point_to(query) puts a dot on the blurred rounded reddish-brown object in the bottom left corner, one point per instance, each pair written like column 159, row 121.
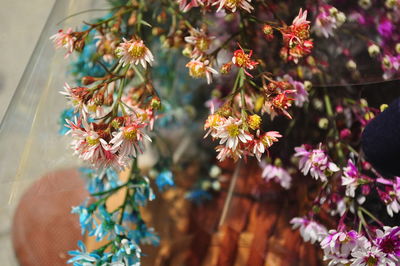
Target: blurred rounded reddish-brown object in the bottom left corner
column 44, row 229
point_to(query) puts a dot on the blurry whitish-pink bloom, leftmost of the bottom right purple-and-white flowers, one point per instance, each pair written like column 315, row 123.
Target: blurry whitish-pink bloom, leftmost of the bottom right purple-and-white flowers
column 309, row 230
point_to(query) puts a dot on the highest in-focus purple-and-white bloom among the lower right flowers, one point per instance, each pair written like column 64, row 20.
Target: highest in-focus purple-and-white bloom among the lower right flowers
column 316, row 162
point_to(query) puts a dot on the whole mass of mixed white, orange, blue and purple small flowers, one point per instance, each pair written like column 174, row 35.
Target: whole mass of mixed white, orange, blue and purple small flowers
column 276, row 83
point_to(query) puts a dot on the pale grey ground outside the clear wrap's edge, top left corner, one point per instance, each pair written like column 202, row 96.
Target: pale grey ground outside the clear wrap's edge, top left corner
column 21, row 22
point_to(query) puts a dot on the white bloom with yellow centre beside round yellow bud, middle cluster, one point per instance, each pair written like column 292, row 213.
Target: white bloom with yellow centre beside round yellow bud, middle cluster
column 232, row 133
